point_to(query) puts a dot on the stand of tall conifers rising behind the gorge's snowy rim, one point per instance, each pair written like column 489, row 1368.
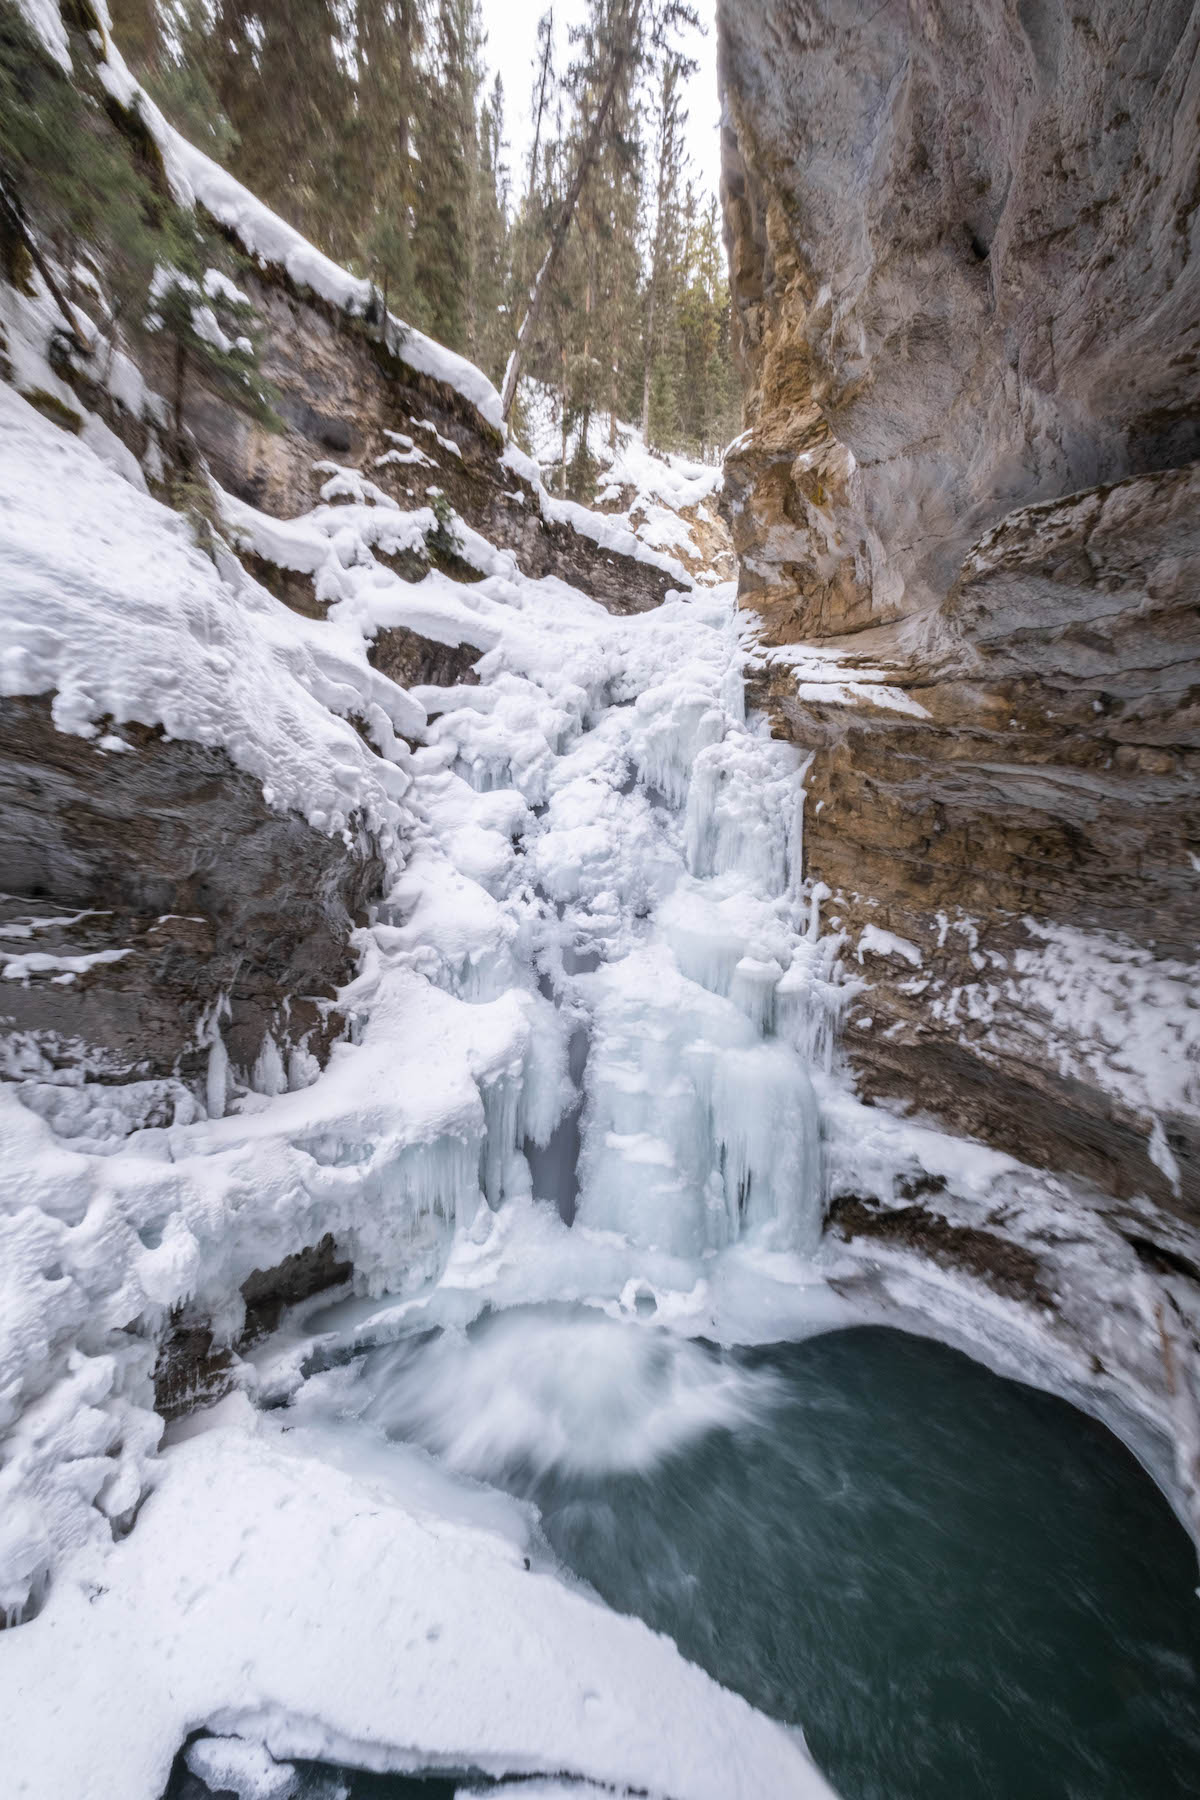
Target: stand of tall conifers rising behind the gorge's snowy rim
column 373, row 127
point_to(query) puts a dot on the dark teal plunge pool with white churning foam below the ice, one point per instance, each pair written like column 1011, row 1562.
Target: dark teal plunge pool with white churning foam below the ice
column 956, row 1585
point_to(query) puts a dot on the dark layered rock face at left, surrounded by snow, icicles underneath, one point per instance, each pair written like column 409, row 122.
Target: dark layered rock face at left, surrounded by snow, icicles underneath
column 152, row 899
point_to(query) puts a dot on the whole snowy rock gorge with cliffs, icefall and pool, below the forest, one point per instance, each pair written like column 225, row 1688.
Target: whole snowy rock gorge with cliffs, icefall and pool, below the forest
column 523, row 1020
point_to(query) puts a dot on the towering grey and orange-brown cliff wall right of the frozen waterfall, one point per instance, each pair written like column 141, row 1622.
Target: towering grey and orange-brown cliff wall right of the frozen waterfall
column 967, row 282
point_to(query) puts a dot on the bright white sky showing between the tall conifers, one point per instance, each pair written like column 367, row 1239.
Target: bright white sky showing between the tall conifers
column 512, row 30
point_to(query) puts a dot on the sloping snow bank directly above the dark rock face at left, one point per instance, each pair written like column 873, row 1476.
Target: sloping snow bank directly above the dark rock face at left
column 114, row 611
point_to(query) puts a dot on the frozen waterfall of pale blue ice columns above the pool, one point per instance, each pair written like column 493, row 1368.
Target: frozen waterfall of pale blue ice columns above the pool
column 658, row 930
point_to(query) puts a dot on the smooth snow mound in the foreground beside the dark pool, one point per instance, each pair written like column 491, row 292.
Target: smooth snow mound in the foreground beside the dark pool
column 425, row 1641
